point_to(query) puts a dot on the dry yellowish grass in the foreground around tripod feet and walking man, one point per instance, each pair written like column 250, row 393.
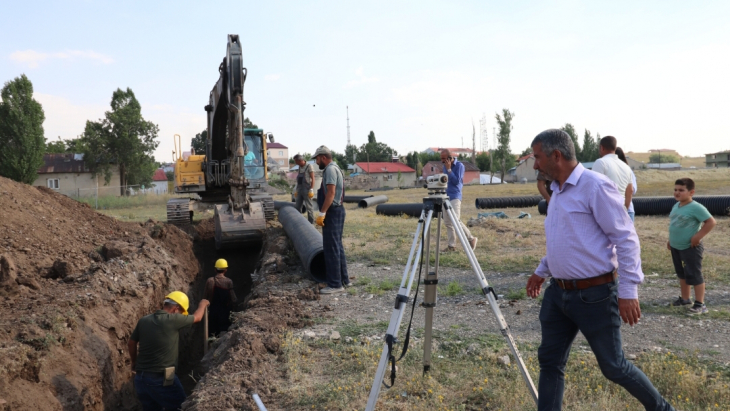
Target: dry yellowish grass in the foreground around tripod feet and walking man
column 477, row 380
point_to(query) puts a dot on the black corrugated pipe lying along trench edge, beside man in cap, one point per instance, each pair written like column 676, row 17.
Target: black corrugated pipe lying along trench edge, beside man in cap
column 307, row 241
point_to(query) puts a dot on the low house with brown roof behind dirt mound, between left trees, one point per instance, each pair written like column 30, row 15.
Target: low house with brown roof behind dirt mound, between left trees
column 68, row 174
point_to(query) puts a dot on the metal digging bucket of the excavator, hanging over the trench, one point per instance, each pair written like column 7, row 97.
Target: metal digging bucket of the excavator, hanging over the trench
column 240, row 227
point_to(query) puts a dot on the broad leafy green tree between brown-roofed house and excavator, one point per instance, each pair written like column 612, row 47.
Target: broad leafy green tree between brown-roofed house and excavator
column 124, row 139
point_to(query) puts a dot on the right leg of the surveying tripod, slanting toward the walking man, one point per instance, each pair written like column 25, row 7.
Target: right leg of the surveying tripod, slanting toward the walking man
column 491, row 298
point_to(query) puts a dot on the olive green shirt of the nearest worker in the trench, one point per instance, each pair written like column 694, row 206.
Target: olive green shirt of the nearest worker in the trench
column 158, row 335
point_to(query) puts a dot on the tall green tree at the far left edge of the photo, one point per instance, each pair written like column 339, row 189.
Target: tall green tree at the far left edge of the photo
column 21, row 131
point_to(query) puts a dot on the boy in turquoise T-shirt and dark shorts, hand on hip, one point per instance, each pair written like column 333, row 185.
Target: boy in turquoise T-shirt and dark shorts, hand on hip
column 689, row 222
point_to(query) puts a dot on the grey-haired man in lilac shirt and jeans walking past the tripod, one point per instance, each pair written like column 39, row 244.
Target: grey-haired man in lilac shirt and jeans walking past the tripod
column 588, row 234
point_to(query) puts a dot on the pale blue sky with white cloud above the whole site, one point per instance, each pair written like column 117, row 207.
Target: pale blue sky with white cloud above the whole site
column 654, row 74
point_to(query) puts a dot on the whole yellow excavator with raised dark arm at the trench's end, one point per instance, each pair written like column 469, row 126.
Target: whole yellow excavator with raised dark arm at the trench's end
column 232, row 173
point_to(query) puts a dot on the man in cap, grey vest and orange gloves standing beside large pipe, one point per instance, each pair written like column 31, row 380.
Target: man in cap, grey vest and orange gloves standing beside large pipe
column 330, row 197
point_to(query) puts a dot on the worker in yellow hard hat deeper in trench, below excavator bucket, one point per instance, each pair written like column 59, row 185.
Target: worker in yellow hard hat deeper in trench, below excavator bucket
column 219, row 290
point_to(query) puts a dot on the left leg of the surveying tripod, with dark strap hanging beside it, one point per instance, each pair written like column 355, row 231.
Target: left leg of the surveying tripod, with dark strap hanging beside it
column 400, row 307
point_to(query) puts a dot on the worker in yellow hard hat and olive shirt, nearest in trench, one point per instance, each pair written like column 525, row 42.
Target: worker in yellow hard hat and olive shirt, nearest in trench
column 157, row 336
